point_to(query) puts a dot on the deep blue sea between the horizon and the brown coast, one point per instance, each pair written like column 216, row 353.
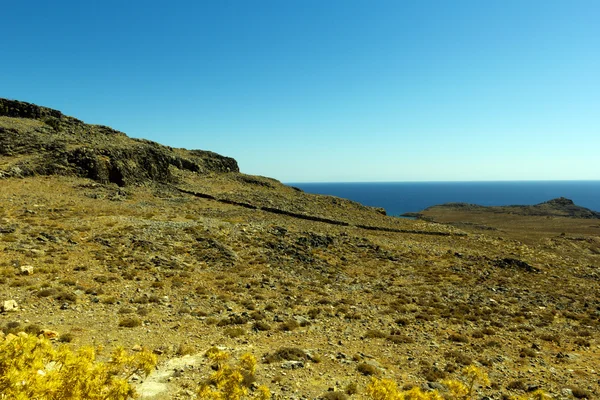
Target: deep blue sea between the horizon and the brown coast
column 401, row 197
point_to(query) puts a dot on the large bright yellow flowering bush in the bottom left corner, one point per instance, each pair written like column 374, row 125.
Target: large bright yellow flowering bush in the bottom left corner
column 32, row 368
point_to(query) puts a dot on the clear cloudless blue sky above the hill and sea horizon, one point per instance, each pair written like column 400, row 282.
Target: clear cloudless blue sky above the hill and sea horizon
column 326, row 90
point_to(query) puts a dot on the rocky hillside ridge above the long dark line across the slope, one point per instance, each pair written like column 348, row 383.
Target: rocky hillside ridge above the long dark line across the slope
column 40, row 141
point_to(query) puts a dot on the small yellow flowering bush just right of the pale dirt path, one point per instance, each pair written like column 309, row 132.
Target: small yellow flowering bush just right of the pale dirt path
column 230, row 382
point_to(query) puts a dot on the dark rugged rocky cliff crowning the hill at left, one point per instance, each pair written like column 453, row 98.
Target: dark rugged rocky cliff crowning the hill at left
column 38, row 140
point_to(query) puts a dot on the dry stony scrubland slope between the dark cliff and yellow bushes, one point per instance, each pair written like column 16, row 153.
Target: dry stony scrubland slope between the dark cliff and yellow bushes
column 323, row 307
